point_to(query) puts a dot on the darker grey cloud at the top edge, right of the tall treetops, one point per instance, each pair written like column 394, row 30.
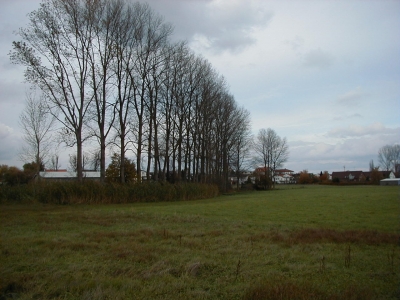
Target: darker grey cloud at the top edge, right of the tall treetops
column 223, row 28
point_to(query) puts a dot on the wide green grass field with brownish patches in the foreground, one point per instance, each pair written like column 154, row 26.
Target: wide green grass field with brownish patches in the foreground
column 313, row 242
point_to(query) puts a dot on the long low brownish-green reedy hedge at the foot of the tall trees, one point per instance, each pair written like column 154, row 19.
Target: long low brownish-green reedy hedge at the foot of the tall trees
column 91, row 192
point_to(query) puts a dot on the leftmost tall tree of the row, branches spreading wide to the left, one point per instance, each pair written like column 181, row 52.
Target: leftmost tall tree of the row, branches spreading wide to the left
column 53, row 48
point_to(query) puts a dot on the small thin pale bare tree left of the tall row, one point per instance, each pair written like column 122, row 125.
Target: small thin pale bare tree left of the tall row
column 36, row 123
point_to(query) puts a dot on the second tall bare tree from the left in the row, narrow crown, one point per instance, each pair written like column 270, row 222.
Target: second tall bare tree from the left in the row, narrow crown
column 101, row 54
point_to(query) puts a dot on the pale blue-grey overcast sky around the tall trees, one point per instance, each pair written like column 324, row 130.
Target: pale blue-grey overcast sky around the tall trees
column 323, row 74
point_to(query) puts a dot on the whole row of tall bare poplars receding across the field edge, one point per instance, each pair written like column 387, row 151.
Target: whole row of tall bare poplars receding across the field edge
column 111, row 73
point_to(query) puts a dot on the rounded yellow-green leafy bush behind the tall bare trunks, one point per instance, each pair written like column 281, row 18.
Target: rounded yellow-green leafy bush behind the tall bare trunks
column 113, row 172
